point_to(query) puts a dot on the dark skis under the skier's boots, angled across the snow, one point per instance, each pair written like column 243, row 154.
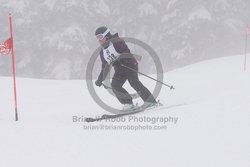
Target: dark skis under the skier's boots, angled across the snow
column 134, row 111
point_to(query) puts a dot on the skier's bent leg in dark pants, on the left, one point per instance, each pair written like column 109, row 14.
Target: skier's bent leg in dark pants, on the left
column 117, row 82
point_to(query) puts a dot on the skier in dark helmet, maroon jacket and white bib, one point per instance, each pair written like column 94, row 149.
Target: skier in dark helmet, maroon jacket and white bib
column 111, row 54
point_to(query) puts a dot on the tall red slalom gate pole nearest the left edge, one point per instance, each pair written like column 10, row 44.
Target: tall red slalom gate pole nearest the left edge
column 13, row 68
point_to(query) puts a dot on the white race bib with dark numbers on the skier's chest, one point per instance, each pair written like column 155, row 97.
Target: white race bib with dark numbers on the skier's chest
column 110, row 54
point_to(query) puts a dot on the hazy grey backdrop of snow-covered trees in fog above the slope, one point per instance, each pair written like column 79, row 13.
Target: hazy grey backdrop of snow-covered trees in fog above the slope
column 54, row 39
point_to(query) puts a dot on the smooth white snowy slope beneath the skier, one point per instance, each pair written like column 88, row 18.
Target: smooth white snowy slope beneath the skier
column 211, row 103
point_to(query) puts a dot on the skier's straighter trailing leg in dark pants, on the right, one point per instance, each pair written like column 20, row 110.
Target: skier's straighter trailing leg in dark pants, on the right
column 134, row 81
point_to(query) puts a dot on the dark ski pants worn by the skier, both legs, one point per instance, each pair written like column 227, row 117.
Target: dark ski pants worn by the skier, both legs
column 122, row 95
